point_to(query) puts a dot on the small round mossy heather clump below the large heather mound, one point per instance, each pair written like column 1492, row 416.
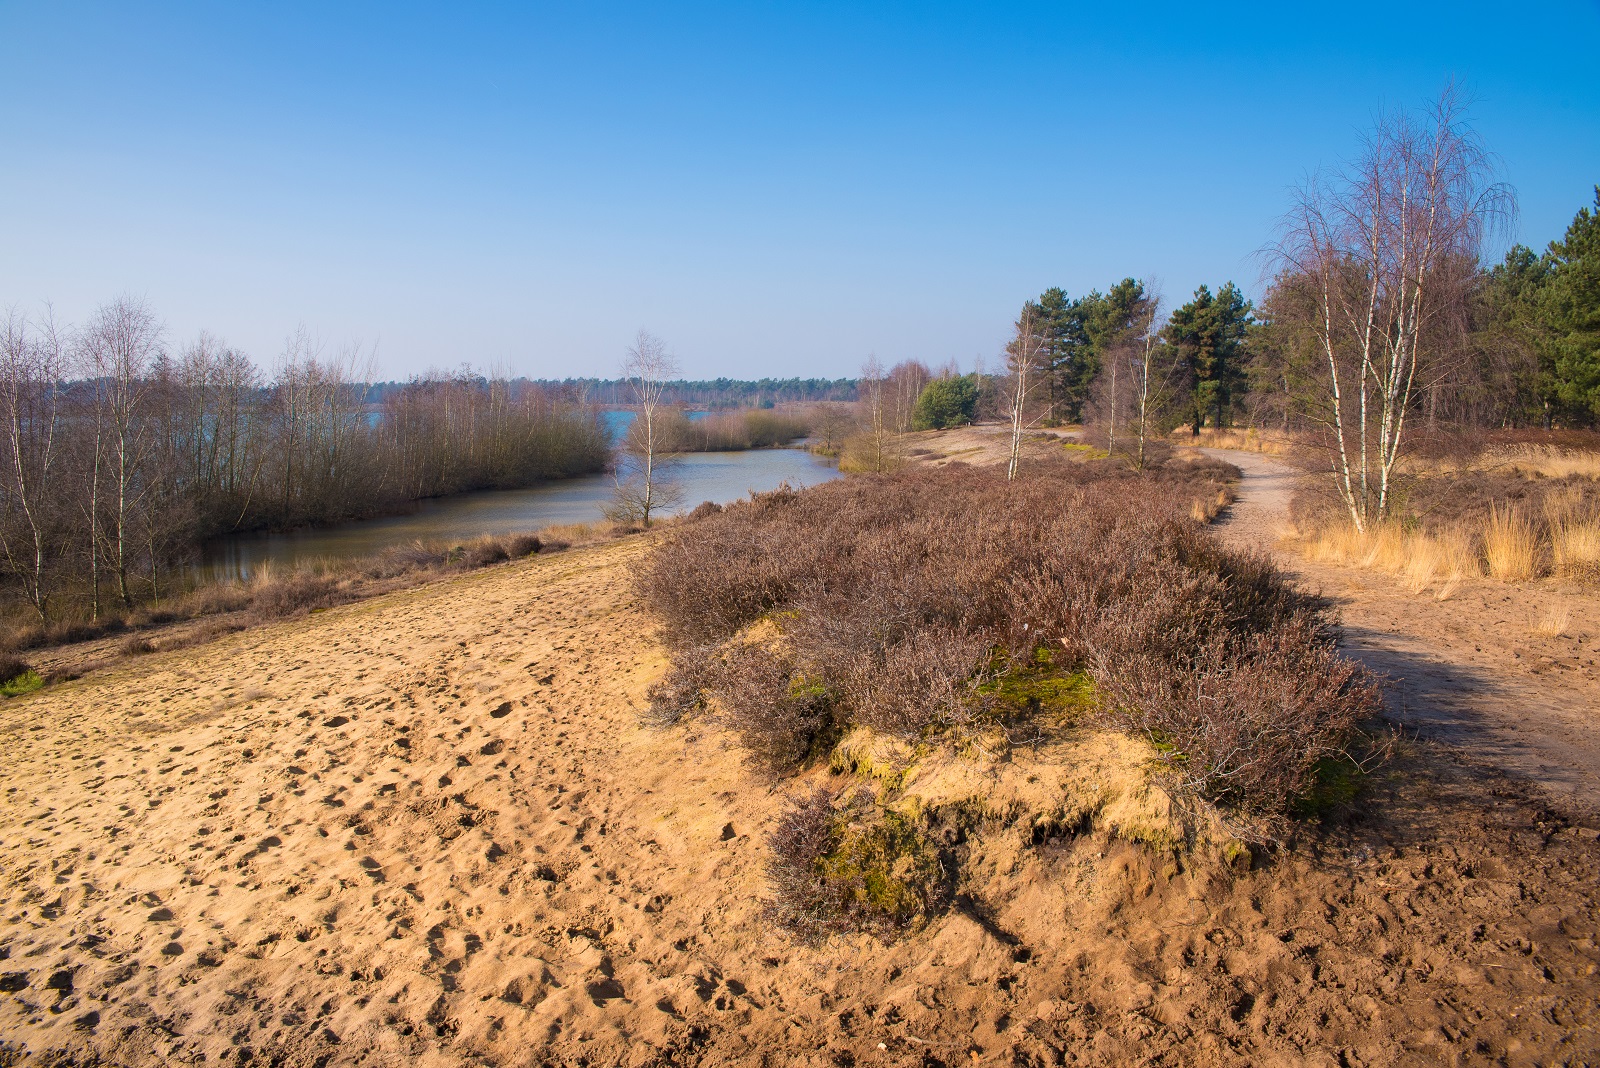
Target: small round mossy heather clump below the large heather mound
column 852, row 867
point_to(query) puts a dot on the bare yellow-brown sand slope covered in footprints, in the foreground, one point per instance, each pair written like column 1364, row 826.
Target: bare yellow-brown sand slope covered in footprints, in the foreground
column 428, row 831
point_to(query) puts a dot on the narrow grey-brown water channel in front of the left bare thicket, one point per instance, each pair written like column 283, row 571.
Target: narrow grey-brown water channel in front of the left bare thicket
column 721, row 477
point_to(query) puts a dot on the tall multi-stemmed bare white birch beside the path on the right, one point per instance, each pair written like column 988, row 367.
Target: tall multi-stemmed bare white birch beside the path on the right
column 1383, row 250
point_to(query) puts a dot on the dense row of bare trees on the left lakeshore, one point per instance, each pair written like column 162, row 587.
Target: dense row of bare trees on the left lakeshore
column 121, row 456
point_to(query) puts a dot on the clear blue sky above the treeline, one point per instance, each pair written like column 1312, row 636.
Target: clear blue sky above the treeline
column 775, row 189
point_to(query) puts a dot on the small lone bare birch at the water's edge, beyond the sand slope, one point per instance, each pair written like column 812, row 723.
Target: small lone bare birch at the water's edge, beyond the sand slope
column 647, row 488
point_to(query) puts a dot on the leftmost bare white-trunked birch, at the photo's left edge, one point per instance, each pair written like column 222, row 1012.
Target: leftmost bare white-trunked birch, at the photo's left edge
column 33, row 375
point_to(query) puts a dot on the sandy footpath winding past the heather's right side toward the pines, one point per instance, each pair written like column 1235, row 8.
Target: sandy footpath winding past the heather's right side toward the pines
column 1470, row 671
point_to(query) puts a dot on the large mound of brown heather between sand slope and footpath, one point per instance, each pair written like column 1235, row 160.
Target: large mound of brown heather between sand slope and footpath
column 894, row 602
